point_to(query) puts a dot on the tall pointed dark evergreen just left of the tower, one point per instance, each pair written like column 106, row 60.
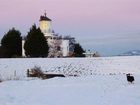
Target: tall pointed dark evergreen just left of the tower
column 35, row 43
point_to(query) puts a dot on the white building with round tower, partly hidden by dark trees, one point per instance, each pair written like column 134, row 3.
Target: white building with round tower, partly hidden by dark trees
column 58, row 46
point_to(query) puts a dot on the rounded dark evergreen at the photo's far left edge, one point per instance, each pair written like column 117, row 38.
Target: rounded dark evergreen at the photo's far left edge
column 11, row 44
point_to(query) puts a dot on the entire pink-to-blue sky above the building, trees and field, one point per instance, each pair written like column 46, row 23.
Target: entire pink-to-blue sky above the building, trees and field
column 110, row 27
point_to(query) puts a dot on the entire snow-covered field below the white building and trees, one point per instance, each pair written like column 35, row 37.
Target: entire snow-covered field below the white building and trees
column 101, row 81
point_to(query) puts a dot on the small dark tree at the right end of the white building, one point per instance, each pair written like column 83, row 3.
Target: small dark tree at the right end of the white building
column 78, row 50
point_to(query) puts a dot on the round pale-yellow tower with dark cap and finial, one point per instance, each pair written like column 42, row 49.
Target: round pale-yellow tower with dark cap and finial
column 45, row 25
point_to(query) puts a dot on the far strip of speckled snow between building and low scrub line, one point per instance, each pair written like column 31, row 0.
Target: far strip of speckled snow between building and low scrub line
column 9, row 68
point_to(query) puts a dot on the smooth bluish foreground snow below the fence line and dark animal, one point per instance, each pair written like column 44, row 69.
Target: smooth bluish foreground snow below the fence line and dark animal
column 91, row 90
